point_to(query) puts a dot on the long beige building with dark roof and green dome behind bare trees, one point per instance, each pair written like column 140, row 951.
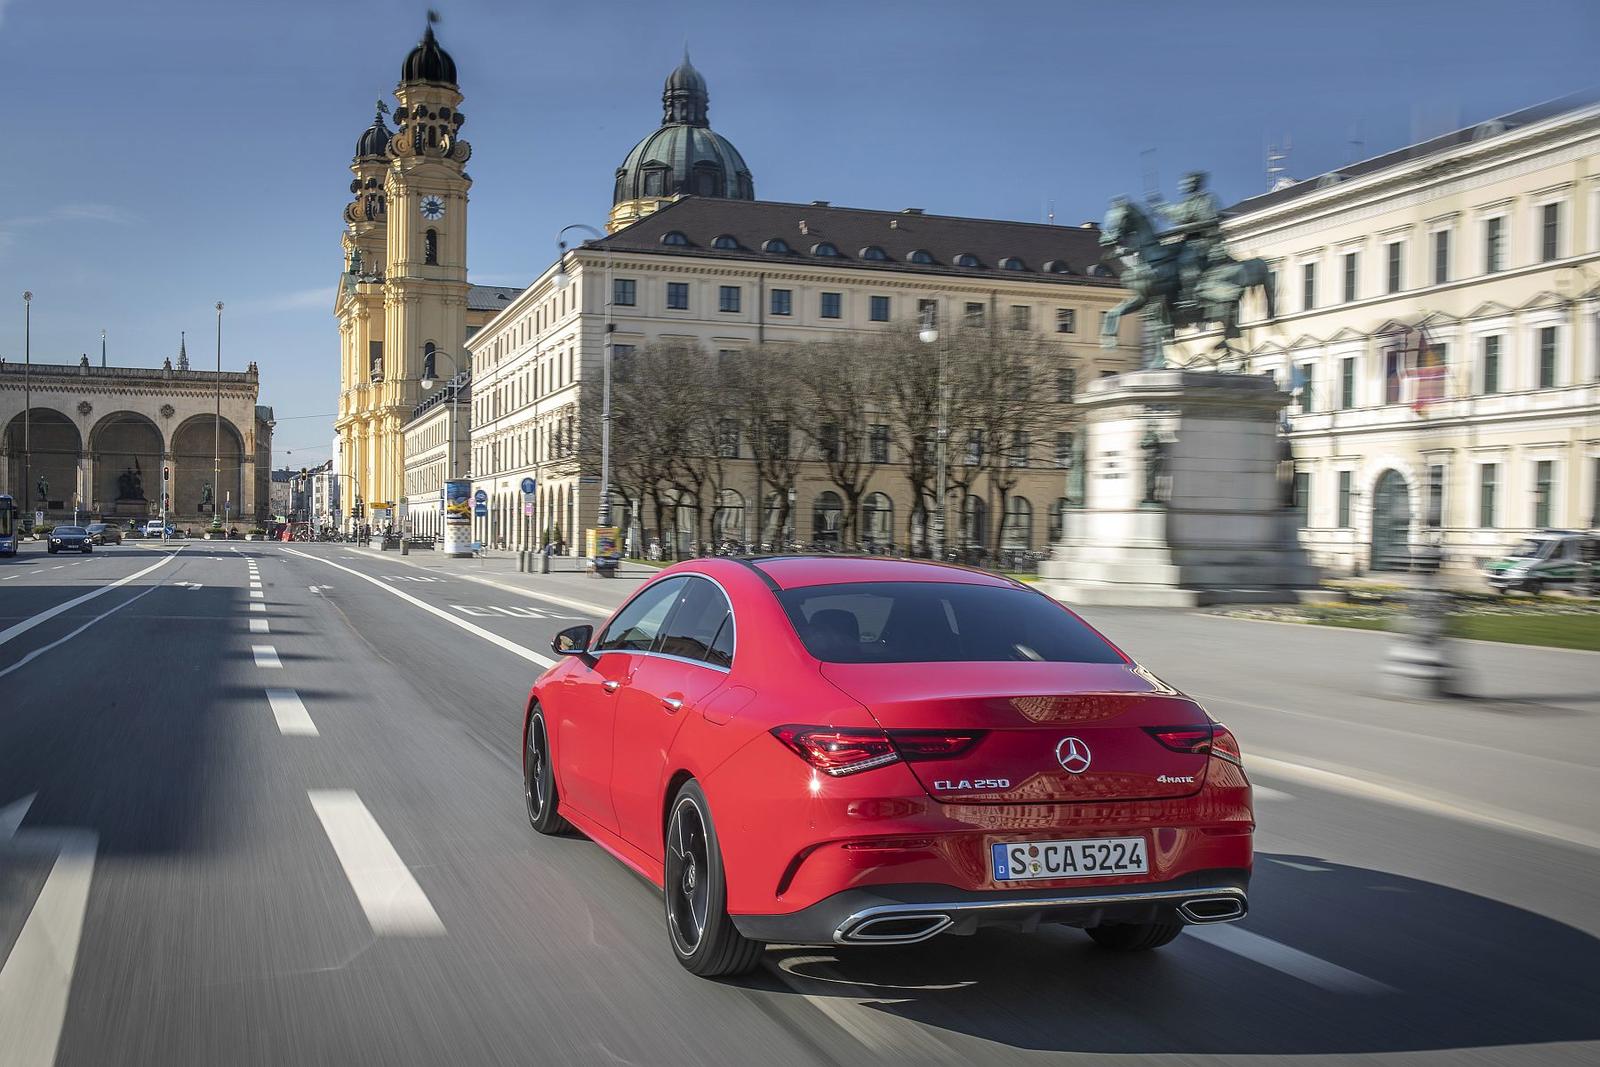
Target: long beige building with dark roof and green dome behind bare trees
column 698, row 260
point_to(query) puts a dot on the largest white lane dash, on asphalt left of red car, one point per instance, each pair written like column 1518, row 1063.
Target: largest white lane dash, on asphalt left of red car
column 393, row 900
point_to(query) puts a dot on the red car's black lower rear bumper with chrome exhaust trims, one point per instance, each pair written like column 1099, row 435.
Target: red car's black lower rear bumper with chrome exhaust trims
column 905, row 914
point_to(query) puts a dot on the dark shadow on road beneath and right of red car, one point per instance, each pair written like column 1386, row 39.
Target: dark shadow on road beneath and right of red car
column 1444, row 970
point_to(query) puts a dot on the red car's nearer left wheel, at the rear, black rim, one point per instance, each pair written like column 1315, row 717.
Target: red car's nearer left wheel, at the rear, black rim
column 695, row 892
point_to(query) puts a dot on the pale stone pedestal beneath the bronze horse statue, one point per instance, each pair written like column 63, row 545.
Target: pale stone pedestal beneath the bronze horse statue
column 1218, row 535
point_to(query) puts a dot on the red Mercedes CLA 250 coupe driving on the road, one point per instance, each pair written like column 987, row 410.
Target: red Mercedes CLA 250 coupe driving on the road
column 828, row 751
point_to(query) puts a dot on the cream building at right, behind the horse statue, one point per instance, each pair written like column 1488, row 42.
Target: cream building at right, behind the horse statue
column 1439, row 311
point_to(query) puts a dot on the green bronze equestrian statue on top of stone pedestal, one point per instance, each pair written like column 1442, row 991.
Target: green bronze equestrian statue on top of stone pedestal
column 1182, row 276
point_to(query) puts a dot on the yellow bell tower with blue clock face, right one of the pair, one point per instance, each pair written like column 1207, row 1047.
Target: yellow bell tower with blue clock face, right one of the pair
column 426, row 273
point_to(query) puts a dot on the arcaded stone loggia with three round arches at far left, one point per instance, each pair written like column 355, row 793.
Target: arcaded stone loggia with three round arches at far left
column 100, row 439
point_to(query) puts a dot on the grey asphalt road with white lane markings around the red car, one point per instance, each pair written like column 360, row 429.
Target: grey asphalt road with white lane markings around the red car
column 287, row 829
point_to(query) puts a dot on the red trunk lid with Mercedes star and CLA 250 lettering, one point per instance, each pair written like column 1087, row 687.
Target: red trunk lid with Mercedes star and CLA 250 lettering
column 1052, row 732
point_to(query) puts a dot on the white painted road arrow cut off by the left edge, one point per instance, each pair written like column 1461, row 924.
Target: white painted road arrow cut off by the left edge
column 38, row 977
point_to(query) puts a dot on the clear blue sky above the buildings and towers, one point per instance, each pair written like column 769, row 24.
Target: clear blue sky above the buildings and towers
column 161, row 158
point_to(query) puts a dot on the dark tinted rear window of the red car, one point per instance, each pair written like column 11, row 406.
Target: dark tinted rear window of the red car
column 918, row 623
